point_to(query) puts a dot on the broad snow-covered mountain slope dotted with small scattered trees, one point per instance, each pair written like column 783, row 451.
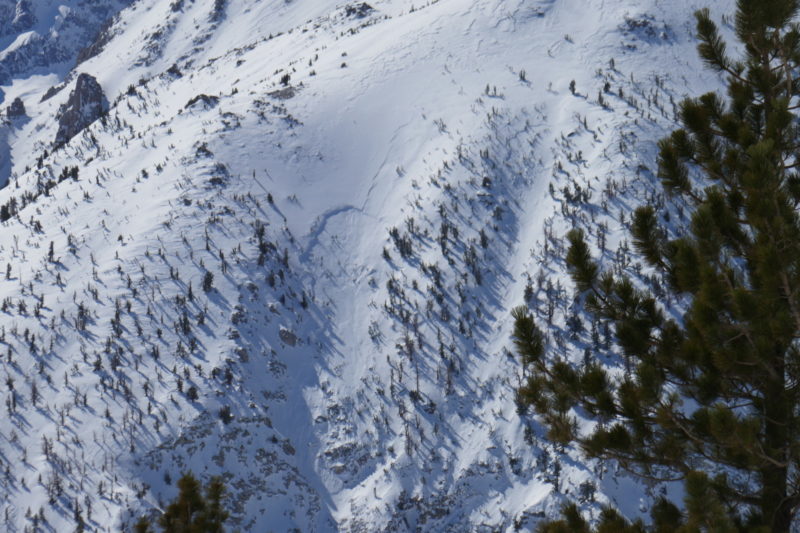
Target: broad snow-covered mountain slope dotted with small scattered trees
column 288, row 251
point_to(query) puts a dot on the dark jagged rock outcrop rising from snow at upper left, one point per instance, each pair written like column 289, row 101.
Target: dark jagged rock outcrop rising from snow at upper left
column 86, row 104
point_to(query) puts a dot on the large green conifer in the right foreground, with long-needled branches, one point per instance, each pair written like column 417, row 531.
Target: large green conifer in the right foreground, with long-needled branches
column 710, row 399
